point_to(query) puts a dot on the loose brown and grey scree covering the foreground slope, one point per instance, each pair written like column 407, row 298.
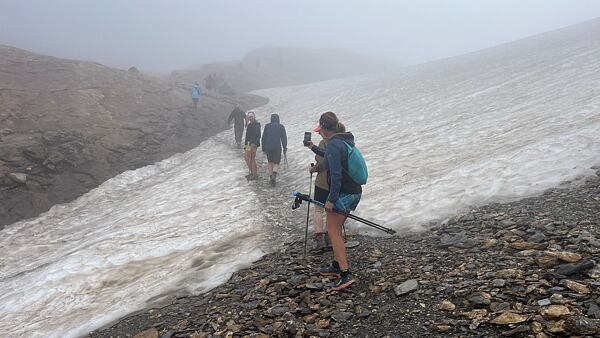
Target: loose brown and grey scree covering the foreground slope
column 523, row 269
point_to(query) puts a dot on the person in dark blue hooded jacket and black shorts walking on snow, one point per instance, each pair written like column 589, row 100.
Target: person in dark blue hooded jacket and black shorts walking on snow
column 273, row 140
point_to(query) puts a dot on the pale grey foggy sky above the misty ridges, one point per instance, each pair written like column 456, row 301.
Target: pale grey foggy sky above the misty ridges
column 171, row 34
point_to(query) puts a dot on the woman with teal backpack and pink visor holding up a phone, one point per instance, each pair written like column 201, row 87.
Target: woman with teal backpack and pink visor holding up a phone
column 344, row 193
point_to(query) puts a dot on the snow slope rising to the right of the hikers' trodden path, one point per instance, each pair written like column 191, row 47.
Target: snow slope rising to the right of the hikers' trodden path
column 498, row 124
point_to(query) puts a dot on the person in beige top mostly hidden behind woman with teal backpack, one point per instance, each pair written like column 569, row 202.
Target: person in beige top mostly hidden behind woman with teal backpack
column 321, row 190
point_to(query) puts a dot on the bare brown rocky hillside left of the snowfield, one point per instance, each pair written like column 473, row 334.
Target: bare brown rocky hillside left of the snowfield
column 66, row 126
